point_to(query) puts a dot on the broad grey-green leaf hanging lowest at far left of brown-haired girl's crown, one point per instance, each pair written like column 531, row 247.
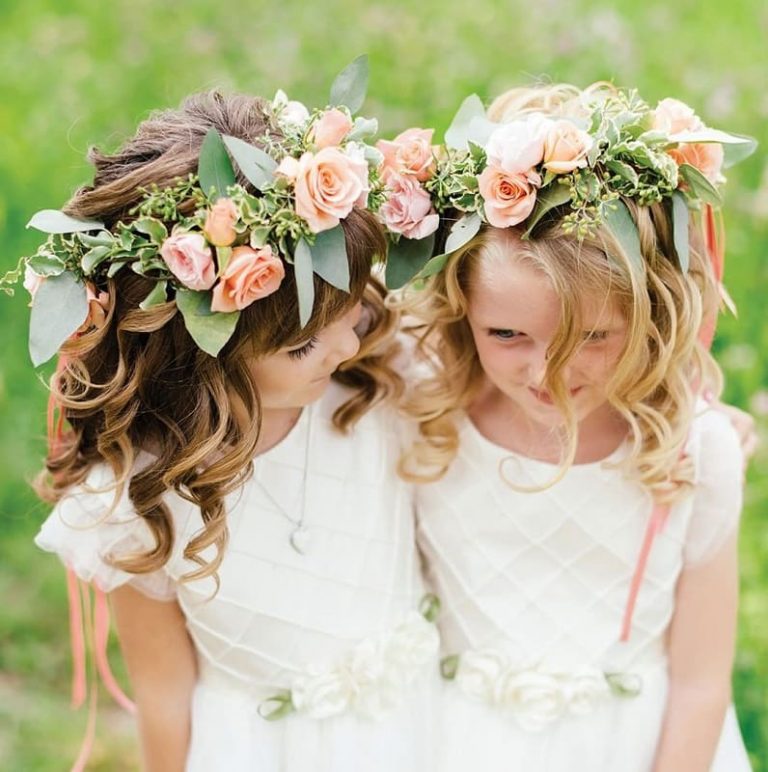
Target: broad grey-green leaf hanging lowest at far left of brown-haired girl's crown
column 59, row 309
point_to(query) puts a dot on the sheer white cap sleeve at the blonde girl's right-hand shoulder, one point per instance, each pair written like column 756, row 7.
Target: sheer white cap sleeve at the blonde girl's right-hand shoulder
column 718, row 496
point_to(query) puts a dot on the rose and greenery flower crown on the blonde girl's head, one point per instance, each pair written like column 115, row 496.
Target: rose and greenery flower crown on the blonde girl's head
column 516, row 172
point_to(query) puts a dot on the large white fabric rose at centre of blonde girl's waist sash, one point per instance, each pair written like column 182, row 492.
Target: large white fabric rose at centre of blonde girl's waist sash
column 533, row 698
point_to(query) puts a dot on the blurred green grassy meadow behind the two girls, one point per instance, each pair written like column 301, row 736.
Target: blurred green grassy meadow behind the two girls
column 84, row 73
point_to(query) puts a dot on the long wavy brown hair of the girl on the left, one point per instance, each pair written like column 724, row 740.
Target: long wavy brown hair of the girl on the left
column 140, row 383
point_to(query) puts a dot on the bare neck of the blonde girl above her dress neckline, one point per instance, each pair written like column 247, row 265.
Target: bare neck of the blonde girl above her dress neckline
column 504, row 423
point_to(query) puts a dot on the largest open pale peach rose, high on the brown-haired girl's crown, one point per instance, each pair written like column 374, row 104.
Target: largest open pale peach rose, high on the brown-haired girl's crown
column 328, row 184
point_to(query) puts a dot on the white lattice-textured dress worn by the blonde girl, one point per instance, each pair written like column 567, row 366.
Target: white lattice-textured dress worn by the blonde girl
column 534, row 587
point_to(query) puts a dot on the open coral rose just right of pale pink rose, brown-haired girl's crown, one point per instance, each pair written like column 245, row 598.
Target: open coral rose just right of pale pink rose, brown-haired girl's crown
column 250, row 275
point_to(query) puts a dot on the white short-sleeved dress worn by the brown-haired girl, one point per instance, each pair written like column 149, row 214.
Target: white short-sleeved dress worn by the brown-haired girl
column 338, row 626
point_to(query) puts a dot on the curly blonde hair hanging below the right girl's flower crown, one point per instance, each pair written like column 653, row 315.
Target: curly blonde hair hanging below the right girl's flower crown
column 660, row 372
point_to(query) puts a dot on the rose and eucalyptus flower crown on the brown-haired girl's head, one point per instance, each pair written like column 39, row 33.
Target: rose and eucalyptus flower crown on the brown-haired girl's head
column 231, row 250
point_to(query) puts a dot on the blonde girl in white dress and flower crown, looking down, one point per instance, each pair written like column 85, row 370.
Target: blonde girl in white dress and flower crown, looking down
column 580, row 502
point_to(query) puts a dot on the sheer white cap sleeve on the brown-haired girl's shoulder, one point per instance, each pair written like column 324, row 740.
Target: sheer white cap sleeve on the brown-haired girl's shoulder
column 86, row 535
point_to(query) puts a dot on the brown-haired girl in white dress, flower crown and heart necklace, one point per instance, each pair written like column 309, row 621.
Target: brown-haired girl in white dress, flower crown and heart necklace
column 225, row 471
